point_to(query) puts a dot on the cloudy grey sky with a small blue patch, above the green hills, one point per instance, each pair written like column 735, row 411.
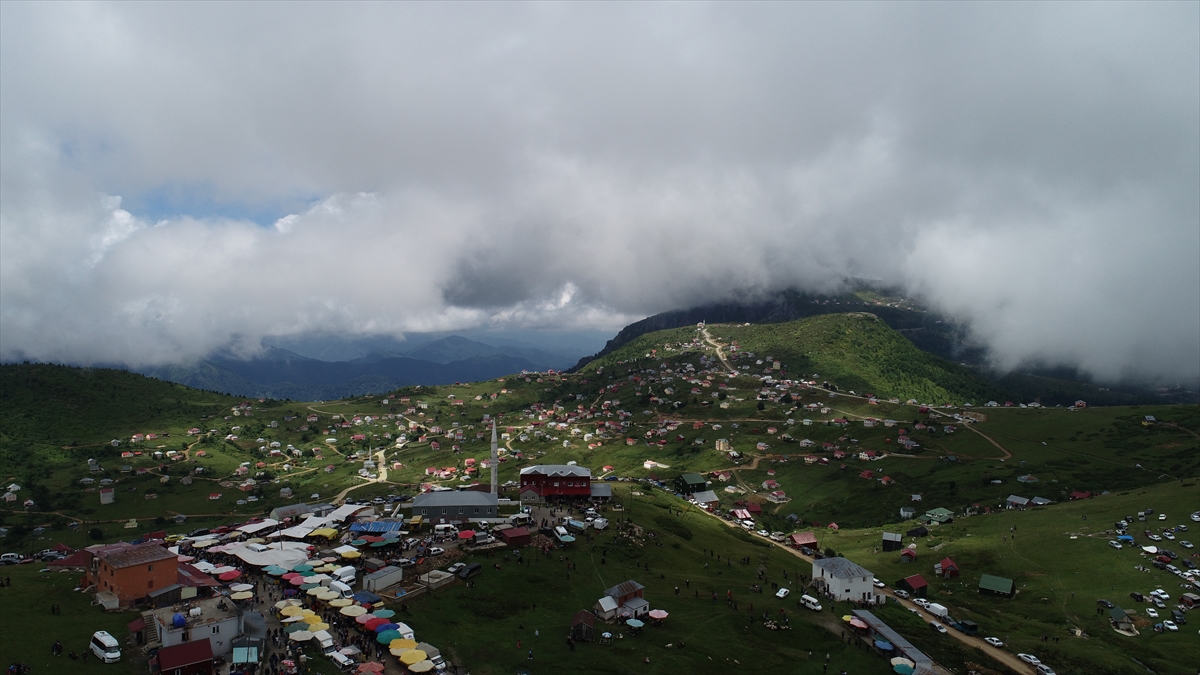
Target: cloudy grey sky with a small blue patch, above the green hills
column 1029, row 169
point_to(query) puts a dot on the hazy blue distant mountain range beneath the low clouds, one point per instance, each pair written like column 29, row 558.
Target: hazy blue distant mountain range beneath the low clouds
column 283, row 374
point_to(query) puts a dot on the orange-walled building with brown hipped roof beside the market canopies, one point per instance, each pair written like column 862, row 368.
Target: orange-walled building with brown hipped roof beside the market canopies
column 133, row 572
